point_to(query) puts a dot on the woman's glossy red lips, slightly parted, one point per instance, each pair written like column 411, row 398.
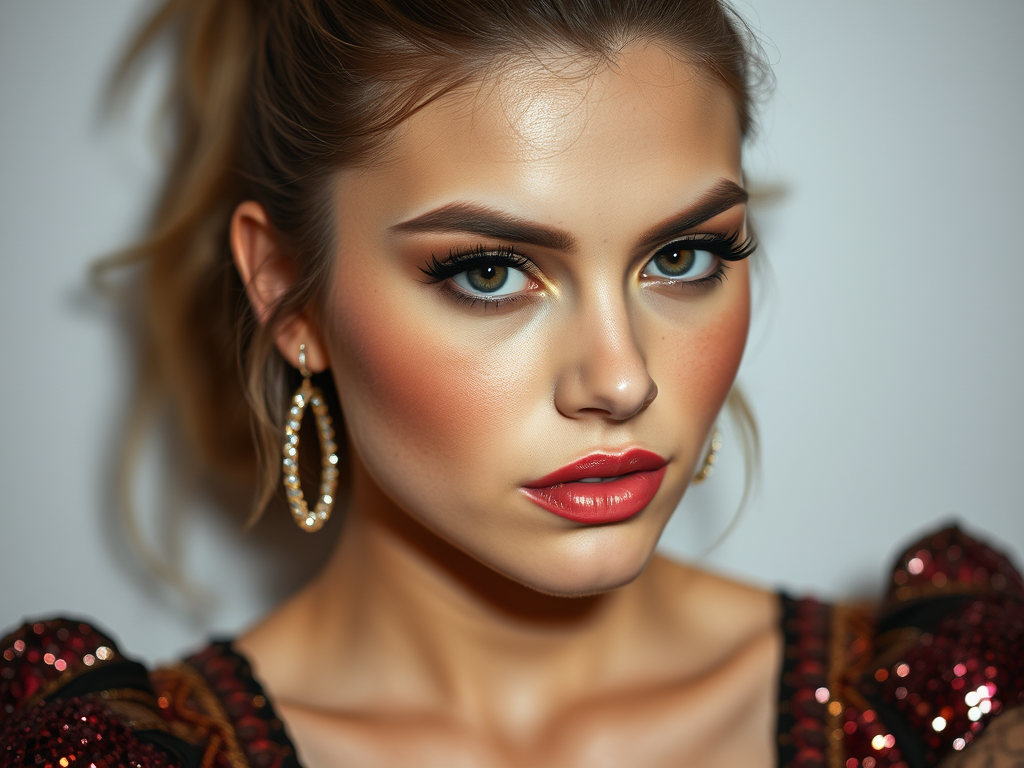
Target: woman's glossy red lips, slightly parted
column 600, row 488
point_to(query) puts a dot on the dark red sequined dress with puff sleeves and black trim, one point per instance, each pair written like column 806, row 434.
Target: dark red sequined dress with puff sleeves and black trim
column 902, row 685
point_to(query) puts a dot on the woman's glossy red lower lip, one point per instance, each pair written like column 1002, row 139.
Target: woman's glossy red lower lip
column 595, row 503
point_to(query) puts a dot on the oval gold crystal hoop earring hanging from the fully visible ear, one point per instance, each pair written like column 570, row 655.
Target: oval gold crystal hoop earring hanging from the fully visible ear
column 308, row 395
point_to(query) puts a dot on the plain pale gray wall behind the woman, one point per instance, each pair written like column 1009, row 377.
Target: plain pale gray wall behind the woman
column 885, row 364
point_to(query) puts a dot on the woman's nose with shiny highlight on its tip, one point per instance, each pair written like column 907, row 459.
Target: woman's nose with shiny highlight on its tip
column 606, row 373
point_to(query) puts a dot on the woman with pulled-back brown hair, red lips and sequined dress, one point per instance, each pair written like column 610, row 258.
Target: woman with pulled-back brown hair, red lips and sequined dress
column 509, row 244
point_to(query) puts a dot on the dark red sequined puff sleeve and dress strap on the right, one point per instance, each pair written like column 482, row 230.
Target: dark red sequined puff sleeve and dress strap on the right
column 919, row 678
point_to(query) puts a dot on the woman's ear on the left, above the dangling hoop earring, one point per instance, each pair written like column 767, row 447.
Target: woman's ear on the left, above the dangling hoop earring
column 268, row 275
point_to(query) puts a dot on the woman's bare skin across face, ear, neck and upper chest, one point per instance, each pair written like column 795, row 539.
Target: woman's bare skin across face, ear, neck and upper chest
column 459, row 623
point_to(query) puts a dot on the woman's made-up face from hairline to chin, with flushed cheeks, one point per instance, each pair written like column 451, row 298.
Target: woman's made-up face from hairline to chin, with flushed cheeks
column 530, row 280
